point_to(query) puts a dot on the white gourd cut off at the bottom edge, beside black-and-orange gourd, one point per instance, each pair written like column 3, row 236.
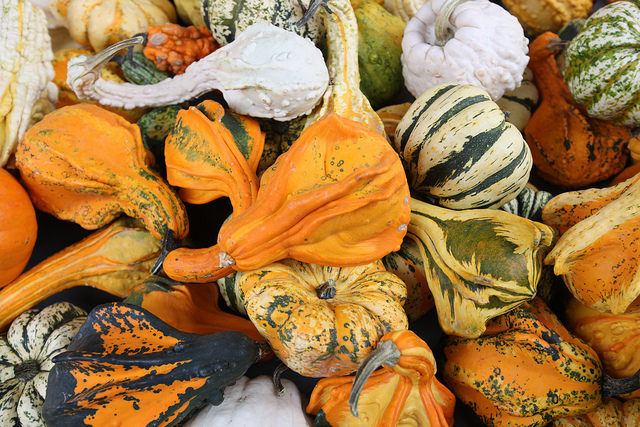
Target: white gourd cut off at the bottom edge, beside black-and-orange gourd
column 256, row 402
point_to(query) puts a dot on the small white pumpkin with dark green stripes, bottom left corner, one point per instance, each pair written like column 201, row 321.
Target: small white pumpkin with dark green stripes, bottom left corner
column 26, row 353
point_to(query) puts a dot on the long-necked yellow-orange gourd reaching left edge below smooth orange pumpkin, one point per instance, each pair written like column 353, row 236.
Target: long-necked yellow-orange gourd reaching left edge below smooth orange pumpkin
column 113, row 259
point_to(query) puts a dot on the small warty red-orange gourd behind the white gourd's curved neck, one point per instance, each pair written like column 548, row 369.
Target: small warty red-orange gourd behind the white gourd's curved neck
column 173, row 47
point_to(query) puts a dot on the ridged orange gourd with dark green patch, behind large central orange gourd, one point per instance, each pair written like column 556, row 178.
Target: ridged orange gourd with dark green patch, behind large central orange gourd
column 211, row 152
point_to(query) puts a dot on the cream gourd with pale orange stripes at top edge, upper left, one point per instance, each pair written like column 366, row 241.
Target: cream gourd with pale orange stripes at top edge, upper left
column 100, row 23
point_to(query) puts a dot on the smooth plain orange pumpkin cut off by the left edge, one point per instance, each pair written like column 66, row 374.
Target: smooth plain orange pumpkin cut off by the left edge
column 18, row 227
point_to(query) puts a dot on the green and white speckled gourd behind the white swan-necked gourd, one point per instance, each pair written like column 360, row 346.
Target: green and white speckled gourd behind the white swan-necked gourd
column 228, row 18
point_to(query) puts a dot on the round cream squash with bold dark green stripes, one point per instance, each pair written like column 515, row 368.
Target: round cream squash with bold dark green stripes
column 457, row 147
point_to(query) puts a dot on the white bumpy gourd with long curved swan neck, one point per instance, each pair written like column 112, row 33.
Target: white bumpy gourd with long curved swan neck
column 265, row 72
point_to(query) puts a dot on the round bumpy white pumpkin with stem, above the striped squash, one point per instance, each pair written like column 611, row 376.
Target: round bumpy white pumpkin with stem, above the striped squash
column 465, row 47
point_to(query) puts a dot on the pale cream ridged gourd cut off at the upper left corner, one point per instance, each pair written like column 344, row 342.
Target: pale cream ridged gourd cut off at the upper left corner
column 27, row 92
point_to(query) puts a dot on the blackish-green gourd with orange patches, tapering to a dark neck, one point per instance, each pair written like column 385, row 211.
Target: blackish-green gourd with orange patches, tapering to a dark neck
column 126, row 365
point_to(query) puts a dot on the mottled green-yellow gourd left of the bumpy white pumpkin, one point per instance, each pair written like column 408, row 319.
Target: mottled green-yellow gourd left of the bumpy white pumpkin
column 379, row 51
